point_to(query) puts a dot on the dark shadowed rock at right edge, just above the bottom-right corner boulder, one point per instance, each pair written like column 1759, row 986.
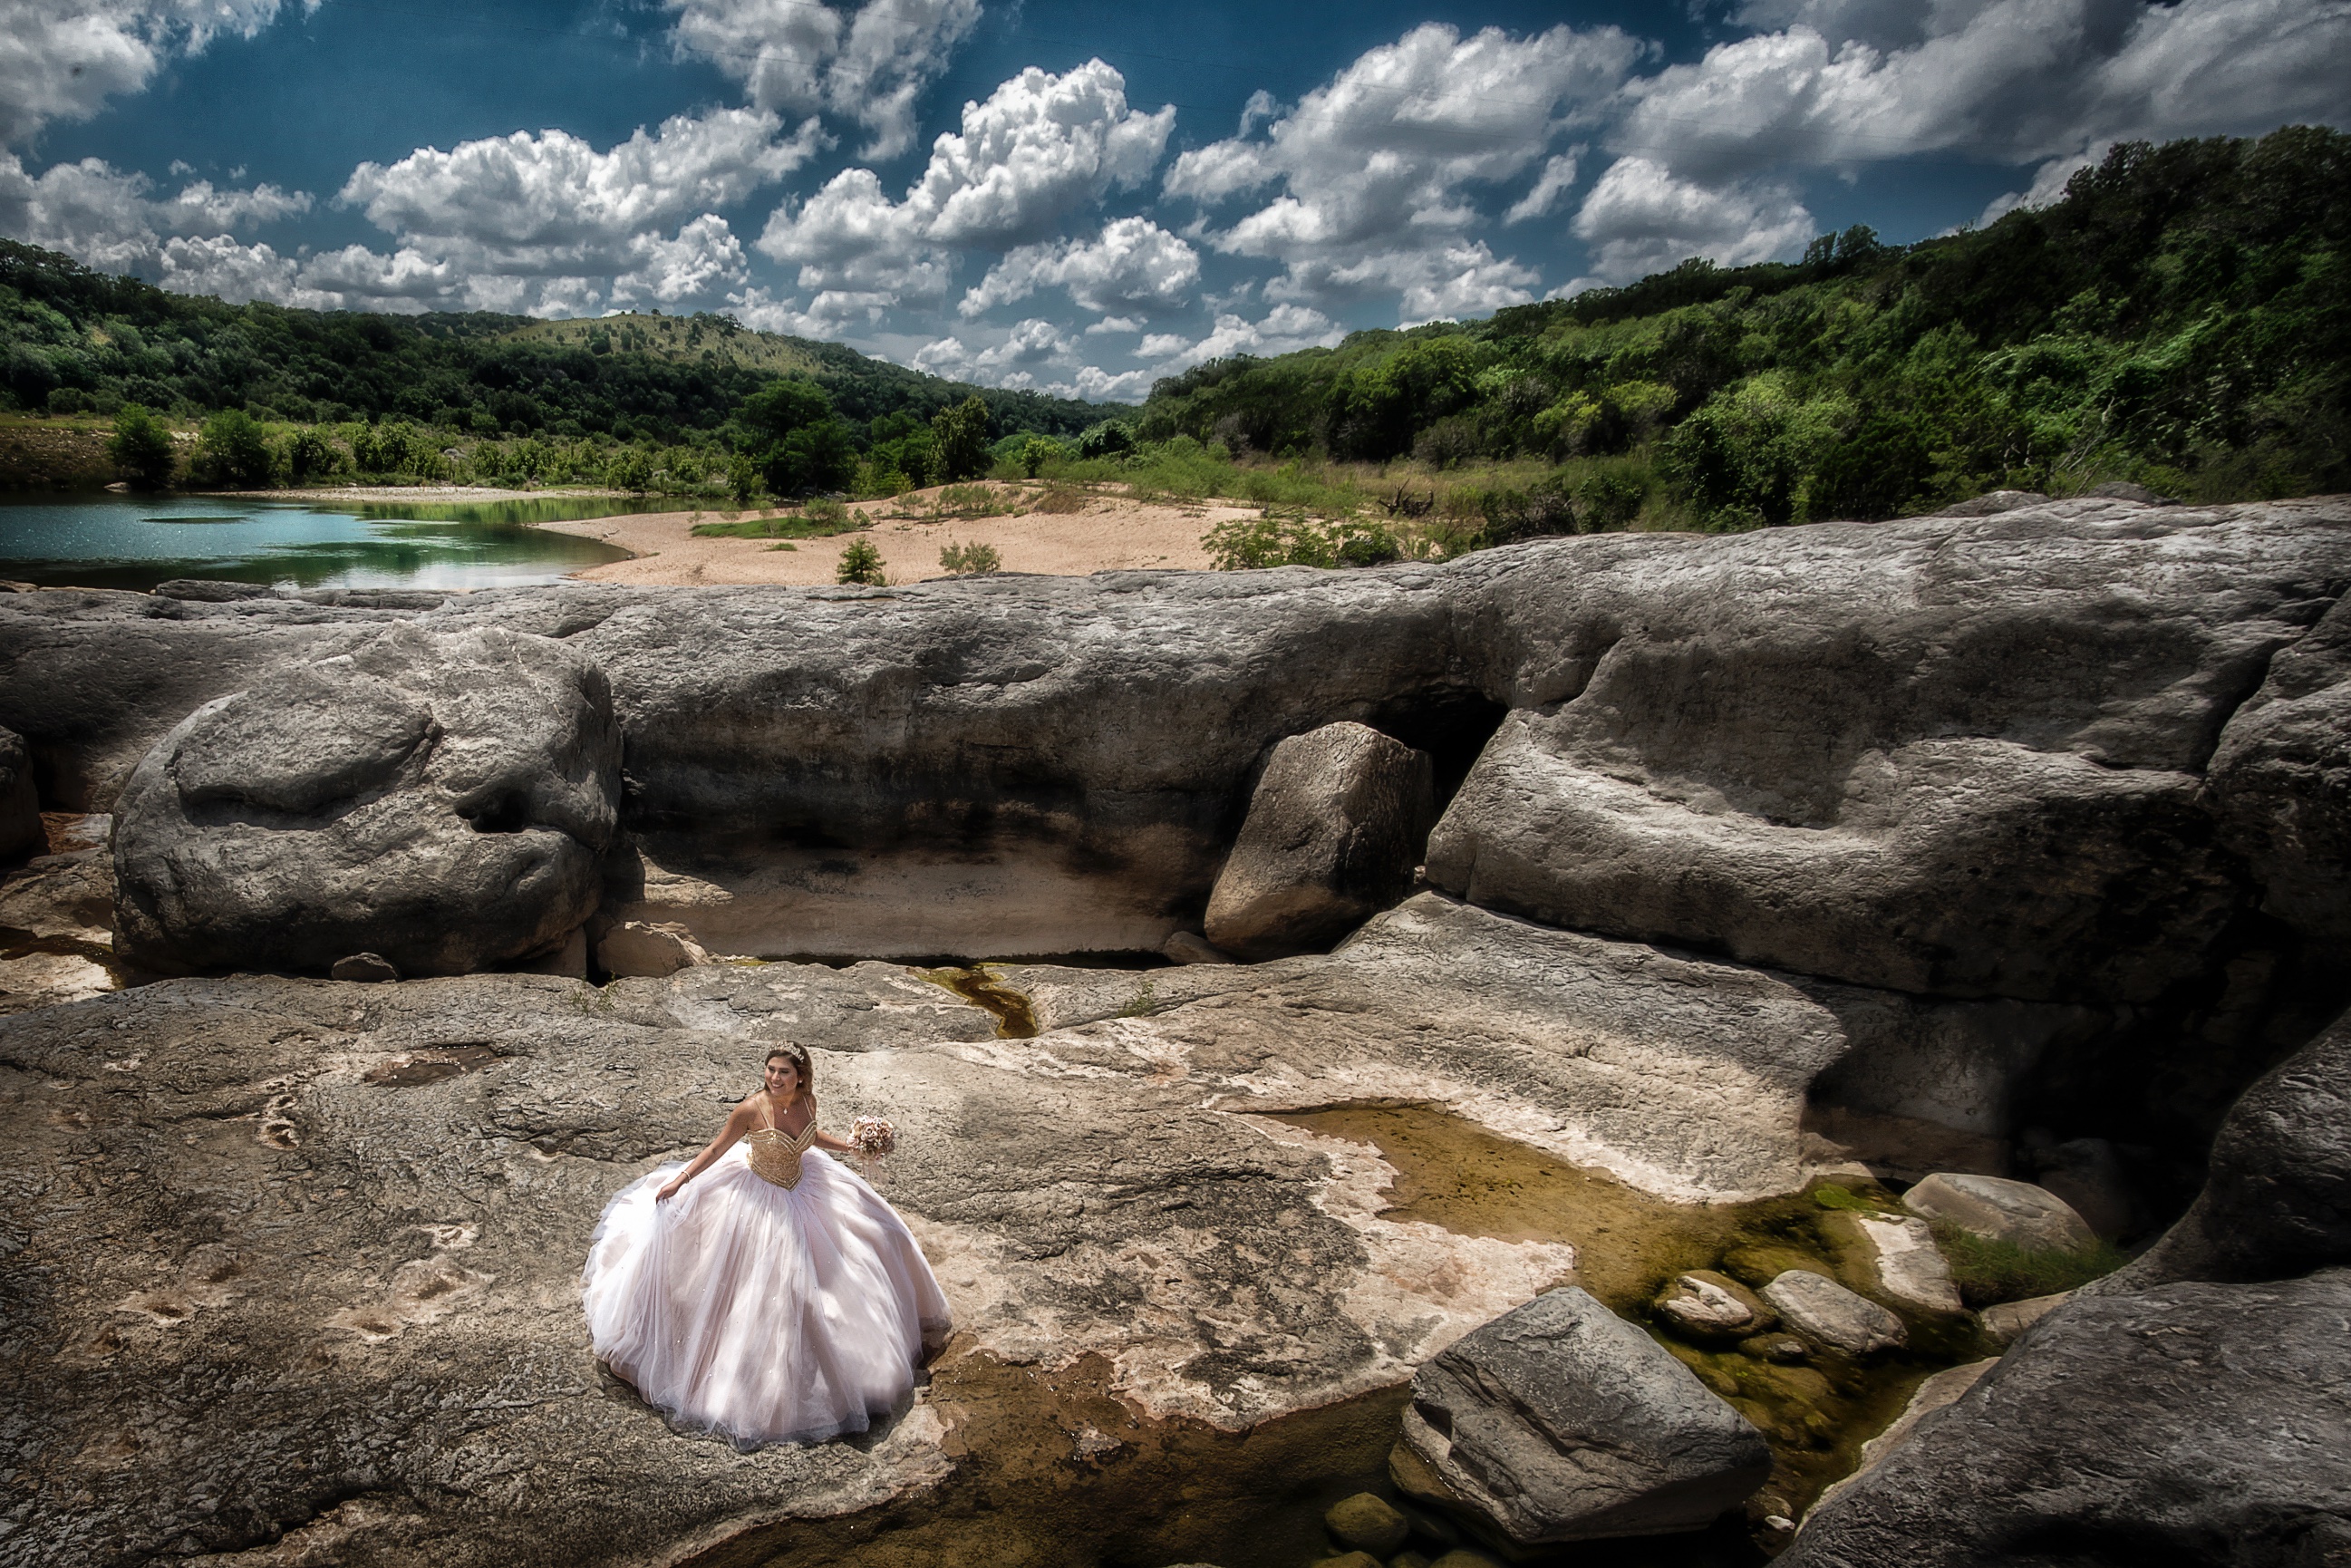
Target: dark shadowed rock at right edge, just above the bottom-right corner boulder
column 2277, row 1195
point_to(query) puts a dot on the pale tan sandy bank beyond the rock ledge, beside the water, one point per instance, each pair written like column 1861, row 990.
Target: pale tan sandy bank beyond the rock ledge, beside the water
column 1108, row 535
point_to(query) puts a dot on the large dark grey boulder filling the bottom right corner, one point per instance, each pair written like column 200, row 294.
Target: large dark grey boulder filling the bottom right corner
column 2192, row 1423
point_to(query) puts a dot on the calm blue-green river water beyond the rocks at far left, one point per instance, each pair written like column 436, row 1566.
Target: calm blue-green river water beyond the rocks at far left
column 138, row 542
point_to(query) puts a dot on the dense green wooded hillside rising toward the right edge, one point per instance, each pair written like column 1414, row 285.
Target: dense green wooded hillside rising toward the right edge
column 2181, row 319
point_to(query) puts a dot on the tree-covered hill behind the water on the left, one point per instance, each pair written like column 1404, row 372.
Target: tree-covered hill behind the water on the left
column 76, row 342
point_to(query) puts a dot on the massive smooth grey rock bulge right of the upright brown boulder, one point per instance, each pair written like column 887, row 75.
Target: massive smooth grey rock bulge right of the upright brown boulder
column 1943, row 756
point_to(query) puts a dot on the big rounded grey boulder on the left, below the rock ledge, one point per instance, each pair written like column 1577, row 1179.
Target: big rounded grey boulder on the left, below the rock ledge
column 434, row 798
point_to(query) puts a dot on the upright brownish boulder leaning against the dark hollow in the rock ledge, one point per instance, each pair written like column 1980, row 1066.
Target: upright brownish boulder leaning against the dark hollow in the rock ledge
column 1334, row 831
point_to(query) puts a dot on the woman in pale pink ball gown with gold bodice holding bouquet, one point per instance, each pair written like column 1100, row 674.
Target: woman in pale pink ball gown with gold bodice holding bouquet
column 763, row 1289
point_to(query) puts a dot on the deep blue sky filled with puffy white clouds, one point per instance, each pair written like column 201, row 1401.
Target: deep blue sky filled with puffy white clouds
column 1073, row 196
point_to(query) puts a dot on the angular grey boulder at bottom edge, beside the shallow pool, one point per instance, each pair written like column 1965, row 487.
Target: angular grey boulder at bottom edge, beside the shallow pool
column 1562, row 1421
